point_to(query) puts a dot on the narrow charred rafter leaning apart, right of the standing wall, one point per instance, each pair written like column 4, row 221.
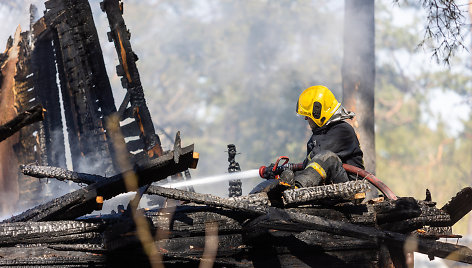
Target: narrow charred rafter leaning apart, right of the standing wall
column 130, row 79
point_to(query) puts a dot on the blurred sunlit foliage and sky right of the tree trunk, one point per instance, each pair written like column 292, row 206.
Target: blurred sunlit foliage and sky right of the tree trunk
column 413, row 153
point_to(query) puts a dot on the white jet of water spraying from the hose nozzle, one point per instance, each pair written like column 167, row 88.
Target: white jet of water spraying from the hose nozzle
column 253, row 173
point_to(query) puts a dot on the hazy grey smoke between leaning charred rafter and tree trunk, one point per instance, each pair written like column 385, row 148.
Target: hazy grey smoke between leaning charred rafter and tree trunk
column 230, row 72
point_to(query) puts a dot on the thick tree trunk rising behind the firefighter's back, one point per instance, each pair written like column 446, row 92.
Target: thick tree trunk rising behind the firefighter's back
column 358, row 73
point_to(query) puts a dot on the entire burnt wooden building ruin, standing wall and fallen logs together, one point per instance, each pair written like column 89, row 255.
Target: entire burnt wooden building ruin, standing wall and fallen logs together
column 60, row 61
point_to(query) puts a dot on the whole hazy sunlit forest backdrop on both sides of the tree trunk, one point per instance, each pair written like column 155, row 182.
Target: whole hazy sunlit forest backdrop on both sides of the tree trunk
column 230, row 71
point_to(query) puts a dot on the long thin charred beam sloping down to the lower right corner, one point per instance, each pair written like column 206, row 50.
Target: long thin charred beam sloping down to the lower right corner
column 289, row 218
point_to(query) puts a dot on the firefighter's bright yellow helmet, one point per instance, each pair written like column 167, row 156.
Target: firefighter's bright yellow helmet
column 317, row 103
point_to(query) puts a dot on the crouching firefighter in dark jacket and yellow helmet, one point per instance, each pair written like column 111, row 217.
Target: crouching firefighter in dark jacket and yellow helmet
column 333, row 142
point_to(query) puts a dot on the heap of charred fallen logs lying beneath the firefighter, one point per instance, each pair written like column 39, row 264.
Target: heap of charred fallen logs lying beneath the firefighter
column 332, row 228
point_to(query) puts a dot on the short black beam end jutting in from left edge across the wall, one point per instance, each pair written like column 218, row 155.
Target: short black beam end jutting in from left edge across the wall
column 25, row 118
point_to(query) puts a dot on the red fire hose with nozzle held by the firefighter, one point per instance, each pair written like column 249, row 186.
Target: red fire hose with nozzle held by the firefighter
column 274, row 171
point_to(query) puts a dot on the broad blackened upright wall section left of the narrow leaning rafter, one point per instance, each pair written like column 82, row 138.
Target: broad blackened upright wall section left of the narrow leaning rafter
column 86, row 90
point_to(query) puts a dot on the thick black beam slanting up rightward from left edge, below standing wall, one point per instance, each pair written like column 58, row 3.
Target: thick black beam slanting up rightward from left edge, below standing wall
column 83, row 201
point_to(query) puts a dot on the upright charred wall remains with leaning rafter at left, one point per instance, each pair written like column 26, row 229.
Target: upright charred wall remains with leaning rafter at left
column 58, row 63
